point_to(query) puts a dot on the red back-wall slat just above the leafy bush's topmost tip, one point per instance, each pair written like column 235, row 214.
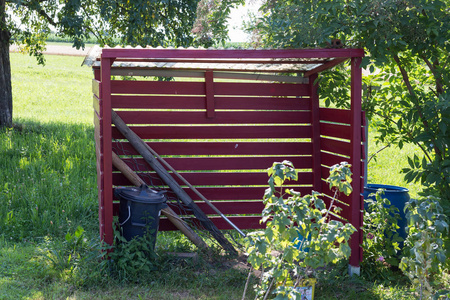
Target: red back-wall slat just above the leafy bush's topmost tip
column 220, row 148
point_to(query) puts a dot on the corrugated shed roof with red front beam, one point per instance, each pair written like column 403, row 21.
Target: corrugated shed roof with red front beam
column 306, row 61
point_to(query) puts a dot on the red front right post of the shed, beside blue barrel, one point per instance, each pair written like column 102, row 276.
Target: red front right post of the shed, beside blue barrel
column 355, row 157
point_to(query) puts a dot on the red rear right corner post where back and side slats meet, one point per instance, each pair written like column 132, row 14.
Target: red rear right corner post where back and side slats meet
column 315, row 134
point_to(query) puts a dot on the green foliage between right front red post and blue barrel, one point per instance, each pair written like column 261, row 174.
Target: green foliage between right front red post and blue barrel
column 381, row 239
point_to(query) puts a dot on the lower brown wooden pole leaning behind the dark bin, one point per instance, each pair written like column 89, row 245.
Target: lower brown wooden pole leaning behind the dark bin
column 168, row 212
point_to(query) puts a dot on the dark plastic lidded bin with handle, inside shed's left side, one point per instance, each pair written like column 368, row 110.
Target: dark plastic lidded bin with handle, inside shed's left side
column 140, row 208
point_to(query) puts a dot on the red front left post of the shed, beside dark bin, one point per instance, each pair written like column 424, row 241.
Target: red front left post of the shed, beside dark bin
column 106, row 210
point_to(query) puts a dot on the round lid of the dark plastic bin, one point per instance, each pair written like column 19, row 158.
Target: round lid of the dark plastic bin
column 142, row 194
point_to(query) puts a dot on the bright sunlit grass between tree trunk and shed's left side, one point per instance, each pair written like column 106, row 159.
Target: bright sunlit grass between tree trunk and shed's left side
column 60, row 91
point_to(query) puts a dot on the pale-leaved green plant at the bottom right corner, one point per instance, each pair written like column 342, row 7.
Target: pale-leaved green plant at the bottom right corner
column 426, row 224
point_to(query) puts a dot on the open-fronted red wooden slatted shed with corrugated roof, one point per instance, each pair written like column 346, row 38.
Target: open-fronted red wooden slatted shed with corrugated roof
column 227, row 116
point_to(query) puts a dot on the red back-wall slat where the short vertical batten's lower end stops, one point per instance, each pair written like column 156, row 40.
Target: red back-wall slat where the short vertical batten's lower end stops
column 222, row 117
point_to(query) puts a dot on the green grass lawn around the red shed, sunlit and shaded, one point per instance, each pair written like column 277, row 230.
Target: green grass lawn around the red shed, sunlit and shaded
column 48, row 189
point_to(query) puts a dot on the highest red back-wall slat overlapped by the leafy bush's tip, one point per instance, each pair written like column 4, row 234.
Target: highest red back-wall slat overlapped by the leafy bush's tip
column 225, row 163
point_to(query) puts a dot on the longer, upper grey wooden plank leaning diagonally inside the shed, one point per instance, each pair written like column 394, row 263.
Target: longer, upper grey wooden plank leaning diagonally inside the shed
column 141, row 147
